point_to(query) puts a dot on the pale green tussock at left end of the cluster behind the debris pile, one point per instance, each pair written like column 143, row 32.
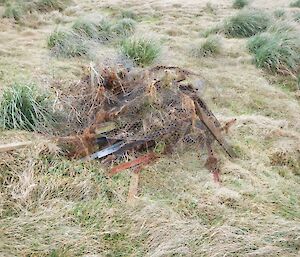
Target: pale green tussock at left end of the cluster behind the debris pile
column 67, row 44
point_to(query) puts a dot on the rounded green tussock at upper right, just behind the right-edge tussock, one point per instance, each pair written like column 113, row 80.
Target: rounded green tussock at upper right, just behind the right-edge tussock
column 246, row 23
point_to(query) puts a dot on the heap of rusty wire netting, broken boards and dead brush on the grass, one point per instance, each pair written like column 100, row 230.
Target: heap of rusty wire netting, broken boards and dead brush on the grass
column 141, row 113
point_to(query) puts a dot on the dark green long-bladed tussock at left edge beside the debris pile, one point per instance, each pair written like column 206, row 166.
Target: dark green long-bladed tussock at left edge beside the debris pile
column 22, row 106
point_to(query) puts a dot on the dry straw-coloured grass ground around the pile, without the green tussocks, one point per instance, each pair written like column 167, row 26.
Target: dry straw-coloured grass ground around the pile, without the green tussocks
column 71, row 209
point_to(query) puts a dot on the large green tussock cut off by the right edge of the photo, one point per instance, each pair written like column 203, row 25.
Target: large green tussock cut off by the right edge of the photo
column 276, row 51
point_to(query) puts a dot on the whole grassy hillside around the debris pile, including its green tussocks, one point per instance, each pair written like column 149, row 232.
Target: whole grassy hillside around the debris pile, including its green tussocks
column 51, row 206
